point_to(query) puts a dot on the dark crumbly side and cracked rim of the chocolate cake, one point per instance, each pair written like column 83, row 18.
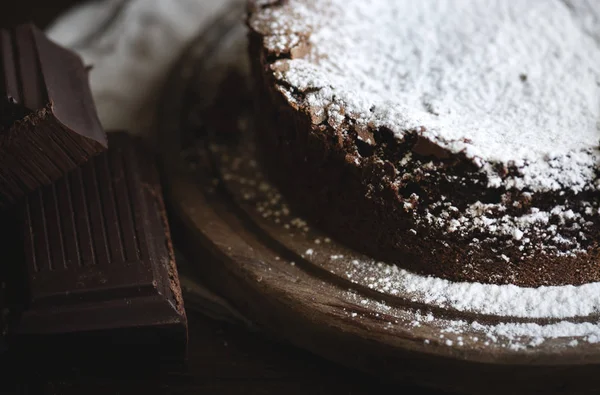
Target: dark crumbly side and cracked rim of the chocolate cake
column 406, row 198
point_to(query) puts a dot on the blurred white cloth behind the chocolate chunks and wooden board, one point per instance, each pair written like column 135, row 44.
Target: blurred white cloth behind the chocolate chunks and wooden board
column 132, row 44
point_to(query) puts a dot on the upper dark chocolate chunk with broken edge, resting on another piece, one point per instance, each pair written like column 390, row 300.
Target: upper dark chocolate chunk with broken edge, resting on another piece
column 48, row 120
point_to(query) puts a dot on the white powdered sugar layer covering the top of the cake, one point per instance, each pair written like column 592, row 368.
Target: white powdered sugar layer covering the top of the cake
column 520, row 91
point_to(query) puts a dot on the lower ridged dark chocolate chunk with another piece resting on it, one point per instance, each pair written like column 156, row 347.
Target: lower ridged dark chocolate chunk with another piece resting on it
column 99, row 261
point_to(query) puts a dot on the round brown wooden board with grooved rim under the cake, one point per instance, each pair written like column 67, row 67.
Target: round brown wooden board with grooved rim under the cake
column 296, row 284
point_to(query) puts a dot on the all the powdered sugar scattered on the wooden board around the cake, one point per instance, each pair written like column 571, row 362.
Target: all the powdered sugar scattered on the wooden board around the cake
column 570, row 313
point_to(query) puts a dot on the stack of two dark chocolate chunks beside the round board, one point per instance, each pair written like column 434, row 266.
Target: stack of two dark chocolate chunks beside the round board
column 88, row 263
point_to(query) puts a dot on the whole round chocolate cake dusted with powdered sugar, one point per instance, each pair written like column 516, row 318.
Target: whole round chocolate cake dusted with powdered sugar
column 453, row 139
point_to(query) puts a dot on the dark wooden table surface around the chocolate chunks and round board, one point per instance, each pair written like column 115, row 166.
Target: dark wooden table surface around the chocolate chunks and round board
column 224, row 358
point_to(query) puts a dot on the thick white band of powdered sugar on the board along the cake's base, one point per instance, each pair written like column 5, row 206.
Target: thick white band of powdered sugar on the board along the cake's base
column 503, row 300
